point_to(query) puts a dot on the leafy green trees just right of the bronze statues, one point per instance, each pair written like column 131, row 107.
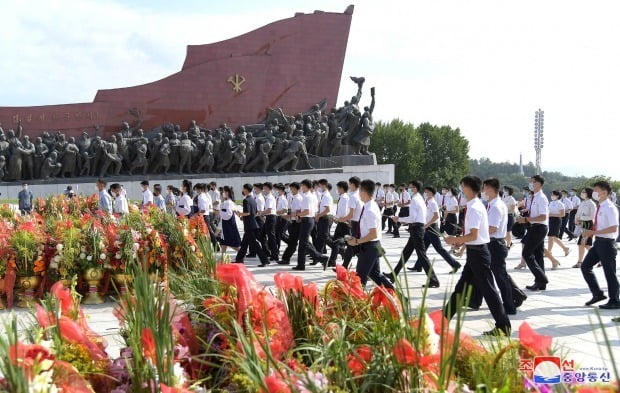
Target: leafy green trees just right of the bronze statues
column 432, row 154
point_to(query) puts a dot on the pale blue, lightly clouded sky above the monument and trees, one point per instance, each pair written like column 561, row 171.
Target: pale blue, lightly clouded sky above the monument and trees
column 484, row 66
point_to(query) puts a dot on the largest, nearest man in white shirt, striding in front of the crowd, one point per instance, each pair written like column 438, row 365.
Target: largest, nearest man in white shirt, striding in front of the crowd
column 477, row 270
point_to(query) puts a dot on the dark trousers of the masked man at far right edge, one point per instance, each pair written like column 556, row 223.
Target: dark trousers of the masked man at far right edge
column 604, row 251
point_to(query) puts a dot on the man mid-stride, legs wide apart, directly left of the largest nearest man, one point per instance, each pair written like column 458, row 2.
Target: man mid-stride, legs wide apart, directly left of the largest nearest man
column 416, row 220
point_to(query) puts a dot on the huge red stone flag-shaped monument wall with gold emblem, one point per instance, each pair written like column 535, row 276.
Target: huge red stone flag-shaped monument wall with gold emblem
column 292, row 63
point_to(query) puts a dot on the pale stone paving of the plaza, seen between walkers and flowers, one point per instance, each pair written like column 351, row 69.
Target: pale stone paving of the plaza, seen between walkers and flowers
column 559, row 311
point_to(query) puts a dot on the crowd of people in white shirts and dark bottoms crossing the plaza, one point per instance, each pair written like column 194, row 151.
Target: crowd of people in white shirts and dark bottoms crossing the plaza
column 321, row 223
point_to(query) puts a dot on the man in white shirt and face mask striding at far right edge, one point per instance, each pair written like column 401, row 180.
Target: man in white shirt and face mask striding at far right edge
column 605, row 232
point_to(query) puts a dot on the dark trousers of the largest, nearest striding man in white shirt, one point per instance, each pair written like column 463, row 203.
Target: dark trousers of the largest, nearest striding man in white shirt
column 477, row 273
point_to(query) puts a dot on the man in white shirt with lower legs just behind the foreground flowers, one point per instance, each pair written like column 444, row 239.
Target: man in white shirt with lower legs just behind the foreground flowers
column 369, row 240
